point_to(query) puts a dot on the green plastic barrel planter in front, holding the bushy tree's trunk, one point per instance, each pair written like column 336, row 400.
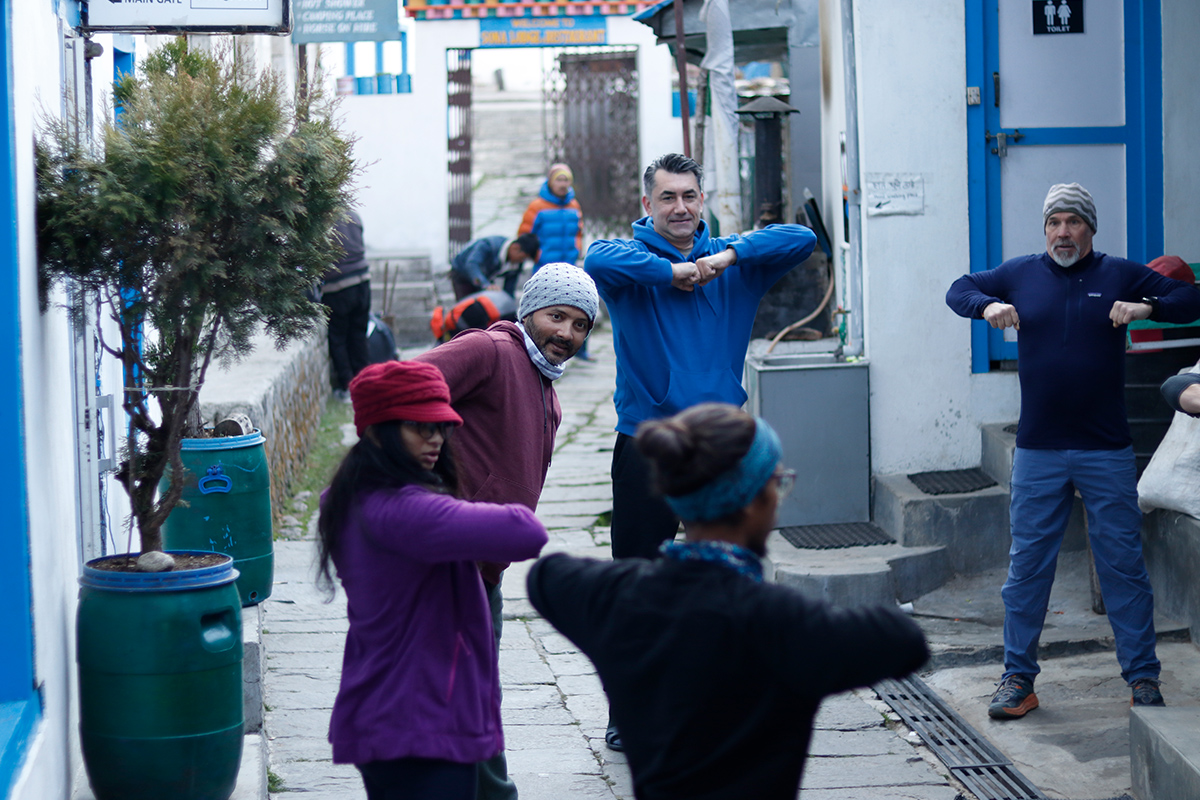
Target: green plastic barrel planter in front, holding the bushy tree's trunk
column 160, row 682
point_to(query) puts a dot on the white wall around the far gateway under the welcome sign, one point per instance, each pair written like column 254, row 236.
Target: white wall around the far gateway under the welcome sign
column 403, row 139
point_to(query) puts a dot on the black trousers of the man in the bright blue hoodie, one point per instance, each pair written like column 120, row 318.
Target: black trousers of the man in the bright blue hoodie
column 641, row 519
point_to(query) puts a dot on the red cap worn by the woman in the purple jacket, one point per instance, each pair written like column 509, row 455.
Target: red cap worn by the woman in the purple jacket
column 401, row 390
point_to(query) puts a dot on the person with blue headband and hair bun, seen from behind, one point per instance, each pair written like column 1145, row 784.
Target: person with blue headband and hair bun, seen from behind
column 713, row 676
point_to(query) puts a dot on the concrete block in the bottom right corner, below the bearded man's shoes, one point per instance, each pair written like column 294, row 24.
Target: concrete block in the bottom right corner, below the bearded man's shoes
column 1165, row 753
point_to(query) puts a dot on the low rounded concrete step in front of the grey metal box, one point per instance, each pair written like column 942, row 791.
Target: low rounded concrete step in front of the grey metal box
column 860, row 576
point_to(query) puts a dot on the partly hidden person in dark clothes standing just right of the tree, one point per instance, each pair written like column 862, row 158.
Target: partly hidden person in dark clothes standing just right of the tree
column 346, row 291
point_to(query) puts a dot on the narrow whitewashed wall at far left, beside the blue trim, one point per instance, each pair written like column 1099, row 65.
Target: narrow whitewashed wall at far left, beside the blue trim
column 49, row 426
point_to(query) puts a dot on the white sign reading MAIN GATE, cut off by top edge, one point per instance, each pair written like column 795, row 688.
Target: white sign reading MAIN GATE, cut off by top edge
column 189, row 16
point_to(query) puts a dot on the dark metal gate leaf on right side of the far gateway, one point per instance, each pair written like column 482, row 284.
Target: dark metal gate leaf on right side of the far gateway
column 591, row 121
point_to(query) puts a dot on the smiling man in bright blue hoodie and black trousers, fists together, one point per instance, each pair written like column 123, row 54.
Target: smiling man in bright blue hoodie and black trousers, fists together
column 682, row 306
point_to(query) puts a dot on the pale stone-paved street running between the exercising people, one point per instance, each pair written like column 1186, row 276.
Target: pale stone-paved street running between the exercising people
column 555, row 711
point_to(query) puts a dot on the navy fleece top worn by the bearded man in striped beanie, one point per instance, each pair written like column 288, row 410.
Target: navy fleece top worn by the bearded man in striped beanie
column 1071, row 359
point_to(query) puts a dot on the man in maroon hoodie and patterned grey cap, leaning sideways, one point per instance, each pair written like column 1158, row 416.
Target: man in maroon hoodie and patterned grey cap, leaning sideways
column 502, row 384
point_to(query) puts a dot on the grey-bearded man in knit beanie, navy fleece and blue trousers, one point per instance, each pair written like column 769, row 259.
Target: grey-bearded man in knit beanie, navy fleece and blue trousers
column 1071, row 306
